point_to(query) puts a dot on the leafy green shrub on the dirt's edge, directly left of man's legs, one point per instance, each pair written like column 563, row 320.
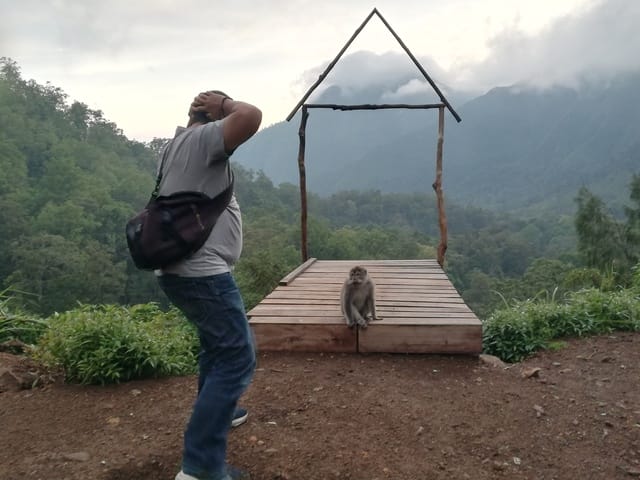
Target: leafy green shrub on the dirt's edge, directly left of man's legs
column 109, row 344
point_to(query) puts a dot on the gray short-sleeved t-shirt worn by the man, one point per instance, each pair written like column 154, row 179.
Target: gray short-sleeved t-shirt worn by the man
column 196, row 161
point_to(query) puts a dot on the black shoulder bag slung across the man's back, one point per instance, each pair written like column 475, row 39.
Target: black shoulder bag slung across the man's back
column 173, row 227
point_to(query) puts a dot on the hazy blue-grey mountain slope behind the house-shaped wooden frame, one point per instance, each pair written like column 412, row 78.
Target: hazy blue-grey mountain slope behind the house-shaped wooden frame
column 517, row 147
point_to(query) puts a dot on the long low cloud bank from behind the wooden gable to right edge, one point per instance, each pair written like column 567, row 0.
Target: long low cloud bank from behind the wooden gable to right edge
column 595, row 43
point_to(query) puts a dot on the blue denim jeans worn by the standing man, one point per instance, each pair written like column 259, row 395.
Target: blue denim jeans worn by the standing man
column 227, row 361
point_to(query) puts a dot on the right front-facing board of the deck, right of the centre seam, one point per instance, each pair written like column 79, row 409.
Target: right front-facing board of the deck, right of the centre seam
column 421, row 339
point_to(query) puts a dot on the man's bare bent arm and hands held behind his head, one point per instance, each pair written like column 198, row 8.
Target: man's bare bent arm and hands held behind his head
column 241, row 119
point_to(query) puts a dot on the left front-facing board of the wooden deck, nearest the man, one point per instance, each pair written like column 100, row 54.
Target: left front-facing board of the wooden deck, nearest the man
column 309, row 338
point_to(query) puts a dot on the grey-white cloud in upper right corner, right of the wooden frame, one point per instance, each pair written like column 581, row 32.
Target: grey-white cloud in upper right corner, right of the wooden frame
column 598, row 42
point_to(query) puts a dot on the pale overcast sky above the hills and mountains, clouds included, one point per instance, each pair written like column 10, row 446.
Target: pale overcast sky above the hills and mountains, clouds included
column 142, row 61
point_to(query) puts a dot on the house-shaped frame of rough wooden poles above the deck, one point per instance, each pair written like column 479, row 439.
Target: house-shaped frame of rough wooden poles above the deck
column 437, row 184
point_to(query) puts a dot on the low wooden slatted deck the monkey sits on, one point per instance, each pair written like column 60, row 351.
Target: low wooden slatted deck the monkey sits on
column 421, row 311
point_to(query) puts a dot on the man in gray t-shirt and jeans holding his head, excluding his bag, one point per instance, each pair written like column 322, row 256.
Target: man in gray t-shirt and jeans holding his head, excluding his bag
column 202, row 286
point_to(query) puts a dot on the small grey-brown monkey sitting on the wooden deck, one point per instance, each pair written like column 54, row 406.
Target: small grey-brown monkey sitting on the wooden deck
column 358, row 298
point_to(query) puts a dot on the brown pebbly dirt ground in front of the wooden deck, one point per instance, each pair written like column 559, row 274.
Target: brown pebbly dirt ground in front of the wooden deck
column 569, row 414
